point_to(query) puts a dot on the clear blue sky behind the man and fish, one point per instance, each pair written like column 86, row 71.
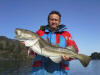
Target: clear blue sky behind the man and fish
column 81, row 17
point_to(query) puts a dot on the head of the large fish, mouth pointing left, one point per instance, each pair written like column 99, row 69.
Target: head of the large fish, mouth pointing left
column 22, row 34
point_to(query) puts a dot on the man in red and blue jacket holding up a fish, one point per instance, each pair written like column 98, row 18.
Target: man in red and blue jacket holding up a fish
column 54, row 32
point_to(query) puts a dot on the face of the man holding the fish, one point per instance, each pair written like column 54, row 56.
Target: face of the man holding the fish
column 54, row 20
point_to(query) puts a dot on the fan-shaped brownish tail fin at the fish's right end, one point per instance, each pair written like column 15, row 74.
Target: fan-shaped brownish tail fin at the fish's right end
column 84, row 59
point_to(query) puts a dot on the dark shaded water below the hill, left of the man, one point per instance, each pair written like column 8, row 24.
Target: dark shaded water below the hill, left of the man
column 10, row 67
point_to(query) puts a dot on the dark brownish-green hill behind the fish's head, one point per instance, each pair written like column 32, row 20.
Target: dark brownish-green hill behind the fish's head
column 12, row 49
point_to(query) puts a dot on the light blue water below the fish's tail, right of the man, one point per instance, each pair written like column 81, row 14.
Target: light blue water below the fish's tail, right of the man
column 92, row 69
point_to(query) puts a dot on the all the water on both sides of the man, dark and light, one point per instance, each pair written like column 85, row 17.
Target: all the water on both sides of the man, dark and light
column 18, row 68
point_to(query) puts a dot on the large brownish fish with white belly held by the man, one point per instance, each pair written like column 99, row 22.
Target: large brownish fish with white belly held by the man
column 44, row 48
